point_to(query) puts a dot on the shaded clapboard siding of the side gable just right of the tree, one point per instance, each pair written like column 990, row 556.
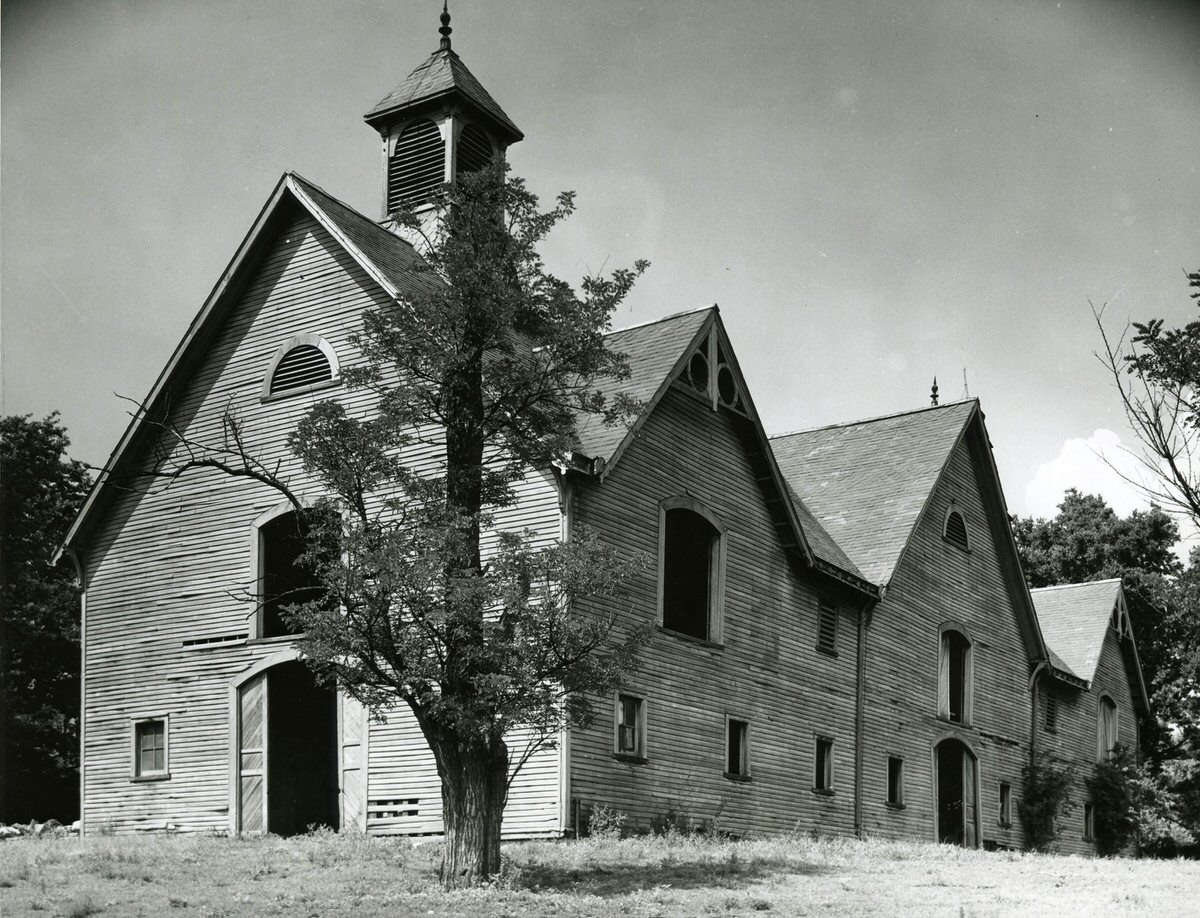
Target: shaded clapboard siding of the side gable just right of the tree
column 767, row 671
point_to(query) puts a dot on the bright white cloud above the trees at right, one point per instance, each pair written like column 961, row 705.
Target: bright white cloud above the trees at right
column 1084, row 465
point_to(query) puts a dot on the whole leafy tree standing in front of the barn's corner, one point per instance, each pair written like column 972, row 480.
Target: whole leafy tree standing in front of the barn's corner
column 484, row 635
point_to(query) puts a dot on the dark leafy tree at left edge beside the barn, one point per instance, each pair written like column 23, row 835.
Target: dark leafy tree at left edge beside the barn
column 40, row 494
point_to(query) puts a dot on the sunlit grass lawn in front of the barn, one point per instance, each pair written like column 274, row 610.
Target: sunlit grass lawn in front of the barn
column 350, row 875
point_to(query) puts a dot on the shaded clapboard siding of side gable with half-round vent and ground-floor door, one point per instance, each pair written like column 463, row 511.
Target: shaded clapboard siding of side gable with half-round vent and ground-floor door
column 935, row 584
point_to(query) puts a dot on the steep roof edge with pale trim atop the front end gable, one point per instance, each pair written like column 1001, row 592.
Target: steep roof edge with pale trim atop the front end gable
column 387, row 259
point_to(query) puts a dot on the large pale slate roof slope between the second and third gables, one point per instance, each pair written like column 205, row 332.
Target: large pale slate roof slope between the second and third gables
column 868, row 482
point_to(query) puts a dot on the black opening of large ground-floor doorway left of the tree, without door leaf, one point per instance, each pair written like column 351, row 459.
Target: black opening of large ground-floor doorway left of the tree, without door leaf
column 302, row 772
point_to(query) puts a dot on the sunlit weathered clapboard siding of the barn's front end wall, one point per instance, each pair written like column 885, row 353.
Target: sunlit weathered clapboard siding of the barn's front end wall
column 167, row 567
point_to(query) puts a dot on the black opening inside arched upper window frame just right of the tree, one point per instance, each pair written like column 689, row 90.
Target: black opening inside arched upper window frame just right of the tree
column 688, row 569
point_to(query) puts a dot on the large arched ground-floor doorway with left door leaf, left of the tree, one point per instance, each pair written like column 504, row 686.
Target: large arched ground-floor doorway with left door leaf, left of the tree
column 289, row 760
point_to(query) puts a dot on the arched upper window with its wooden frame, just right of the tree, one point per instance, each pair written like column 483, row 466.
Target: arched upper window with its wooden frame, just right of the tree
column 691, row 574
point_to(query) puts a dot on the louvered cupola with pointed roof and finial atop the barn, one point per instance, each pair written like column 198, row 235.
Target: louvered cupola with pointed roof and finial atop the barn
column 439, row 123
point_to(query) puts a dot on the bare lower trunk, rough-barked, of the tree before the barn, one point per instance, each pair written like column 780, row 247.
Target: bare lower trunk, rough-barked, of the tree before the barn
column 475, row 777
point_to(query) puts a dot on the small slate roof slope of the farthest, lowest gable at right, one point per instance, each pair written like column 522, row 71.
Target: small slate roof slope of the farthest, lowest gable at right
column 1075, row 622
